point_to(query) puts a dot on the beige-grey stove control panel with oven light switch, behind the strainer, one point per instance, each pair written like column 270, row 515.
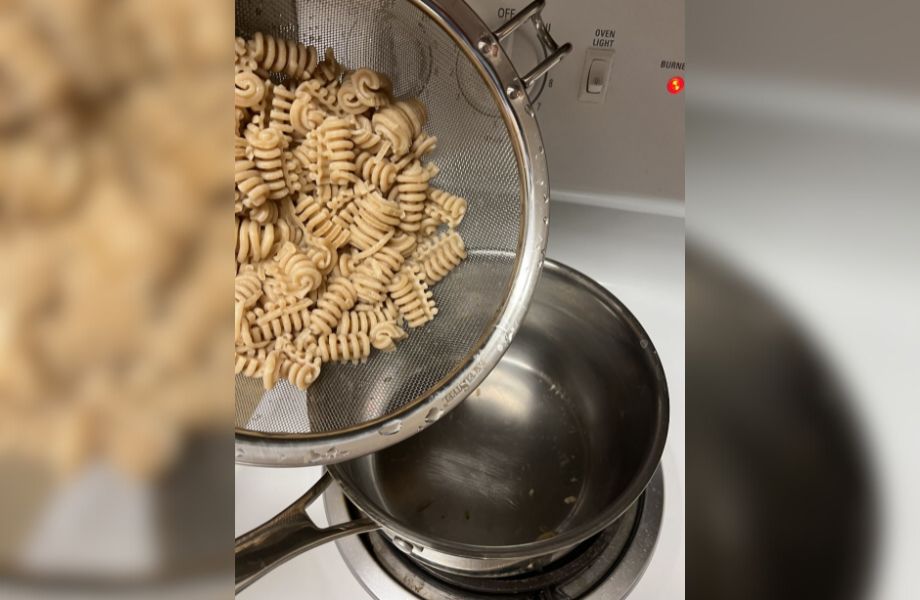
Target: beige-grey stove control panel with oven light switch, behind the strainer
column 612, row 124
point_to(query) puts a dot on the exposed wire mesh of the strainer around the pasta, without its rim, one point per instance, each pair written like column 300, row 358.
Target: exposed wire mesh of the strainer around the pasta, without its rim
column 477, row 161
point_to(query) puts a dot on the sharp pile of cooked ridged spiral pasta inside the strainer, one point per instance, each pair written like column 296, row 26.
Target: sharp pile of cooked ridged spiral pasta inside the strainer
column 339, row 230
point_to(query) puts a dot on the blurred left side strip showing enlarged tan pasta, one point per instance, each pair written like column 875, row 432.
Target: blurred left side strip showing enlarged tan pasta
column 115, row 397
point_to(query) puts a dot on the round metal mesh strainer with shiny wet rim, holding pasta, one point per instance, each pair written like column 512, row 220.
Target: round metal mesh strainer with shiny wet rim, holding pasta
column 490, row 152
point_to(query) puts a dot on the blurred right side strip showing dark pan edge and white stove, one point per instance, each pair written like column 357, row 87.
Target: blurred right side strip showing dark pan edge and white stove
column 803, row 141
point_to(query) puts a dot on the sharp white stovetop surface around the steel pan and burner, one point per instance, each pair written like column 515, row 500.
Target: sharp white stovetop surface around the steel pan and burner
column 639, row 257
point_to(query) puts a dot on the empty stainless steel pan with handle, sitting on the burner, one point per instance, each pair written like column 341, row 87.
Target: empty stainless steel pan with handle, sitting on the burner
column 555, row 445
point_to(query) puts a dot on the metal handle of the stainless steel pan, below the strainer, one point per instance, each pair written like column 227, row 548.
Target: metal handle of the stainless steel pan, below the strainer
column 287, row 534
